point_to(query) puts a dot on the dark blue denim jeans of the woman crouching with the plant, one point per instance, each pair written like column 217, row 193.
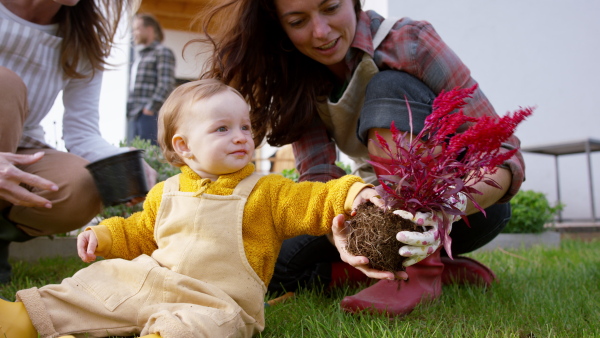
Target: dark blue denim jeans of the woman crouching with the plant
column 305, row 261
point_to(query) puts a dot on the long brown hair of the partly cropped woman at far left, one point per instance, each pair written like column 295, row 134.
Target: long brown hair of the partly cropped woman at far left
column 88, row 30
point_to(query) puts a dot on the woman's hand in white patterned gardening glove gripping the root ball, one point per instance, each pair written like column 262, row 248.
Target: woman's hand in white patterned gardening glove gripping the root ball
column 419, row 245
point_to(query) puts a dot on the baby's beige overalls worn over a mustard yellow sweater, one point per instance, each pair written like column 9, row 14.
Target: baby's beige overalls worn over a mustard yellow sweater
column 198, row 283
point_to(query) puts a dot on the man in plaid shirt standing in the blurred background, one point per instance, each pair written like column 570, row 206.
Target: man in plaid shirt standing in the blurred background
column 152, row 78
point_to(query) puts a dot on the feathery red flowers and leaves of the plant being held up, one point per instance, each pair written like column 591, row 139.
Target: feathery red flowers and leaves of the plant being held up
column 450, row 155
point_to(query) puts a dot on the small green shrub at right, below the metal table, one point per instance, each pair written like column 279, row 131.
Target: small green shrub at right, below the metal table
column 530, row 212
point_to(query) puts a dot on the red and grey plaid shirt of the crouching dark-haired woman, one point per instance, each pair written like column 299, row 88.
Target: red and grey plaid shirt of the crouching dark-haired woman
column 413, row 47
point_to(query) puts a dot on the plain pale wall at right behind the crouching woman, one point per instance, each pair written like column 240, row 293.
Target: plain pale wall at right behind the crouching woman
column 542, row 53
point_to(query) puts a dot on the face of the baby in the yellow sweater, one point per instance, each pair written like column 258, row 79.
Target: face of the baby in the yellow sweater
column 218, row 135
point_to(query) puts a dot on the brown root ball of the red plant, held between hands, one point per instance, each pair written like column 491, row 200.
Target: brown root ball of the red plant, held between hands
column 373, row 235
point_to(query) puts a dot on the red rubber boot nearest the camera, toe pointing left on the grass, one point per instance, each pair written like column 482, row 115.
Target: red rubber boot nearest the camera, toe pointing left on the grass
column 398, row 298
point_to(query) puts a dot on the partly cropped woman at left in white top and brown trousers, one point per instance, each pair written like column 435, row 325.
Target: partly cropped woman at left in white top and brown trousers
column 47, row 47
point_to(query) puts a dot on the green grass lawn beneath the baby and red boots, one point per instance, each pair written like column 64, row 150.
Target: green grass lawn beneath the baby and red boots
column 541, row 292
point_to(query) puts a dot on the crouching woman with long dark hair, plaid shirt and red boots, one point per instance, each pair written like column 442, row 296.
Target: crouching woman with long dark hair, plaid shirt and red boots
column 320, row 74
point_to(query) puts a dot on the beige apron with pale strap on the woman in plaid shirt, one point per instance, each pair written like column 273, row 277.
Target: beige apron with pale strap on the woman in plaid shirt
column 341, row 118
